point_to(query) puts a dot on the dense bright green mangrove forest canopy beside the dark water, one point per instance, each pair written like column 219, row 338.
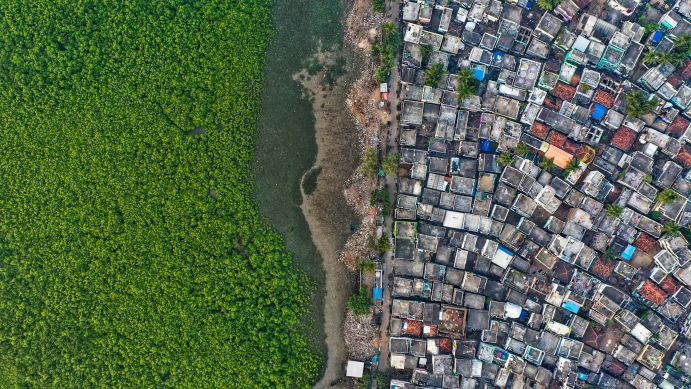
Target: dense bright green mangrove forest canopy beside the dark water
column 131, row 252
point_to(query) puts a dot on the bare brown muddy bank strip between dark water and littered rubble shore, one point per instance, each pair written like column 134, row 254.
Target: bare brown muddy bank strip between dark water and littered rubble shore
column 324, row 208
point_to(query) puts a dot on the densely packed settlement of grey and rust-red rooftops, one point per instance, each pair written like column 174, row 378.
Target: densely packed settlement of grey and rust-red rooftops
column 542, row 216
